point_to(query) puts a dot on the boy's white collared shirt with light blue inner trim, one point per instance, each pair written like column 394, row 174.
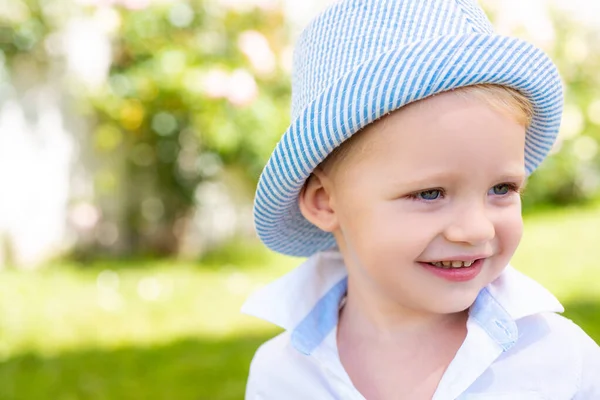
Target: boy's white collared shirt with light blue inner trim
column 516, row 347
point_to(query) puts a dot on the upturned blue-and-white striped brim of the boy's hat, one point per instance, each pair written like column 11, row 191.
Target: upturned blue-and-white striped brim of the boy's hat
column 381, row 85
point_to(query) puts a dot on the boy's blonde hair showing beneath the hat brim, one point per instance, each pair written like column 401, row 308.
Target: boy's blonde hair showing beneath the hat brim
column 502, row 98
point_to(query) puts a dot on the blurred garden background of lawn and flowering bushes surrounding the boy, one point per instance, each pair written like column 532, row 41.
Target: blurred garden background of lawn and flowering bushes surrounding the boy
column 132, row 134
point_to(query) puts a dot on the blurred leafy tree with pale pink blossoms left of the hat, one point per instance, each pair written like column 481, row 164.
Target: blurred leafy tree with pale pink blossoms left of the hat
column 192, row 87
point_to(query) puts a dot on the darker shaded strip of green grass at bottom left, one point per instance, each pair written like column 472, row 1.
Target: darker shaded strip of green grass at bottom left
column 185, row 368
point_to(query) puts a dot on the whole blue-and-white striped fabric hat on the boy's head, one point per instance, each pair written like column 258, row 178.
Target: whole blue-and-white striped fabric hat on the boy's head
column 361, row 59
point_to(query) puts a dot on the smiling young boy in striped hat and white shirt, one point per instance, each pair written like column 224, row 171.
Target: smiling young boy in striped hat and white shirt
column 414, row 129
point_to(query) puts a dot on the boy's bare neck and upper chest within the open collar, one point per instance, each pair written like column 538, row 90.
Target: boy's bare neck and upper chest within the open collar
column 395, row 353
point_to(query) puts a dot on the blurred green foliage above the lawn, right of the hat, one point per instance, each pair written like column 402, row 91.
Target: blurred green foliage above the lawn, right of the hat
column 572, row 173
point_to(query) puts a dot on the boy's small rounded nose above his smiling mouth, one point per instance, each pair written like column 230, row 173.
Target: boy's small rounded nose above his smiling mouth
column 472, row 226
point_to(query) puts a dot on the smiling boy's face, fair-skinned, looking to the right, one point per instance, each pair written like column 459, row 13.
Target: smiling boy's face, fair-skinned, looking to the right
column 437, row 181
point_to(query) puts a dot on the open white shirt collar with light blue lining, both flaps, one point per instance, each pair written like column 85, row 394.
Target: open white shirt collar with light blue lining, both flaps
column 306, row 302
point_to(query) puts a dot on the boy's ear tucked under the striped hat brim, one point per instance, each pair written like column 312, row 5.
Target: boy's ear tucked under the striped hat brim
column 316, row 202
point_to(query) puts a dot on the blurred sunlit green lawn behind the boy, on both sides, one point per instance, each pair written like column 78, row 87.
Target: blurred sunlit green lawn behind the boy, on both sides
column 169, row 330
